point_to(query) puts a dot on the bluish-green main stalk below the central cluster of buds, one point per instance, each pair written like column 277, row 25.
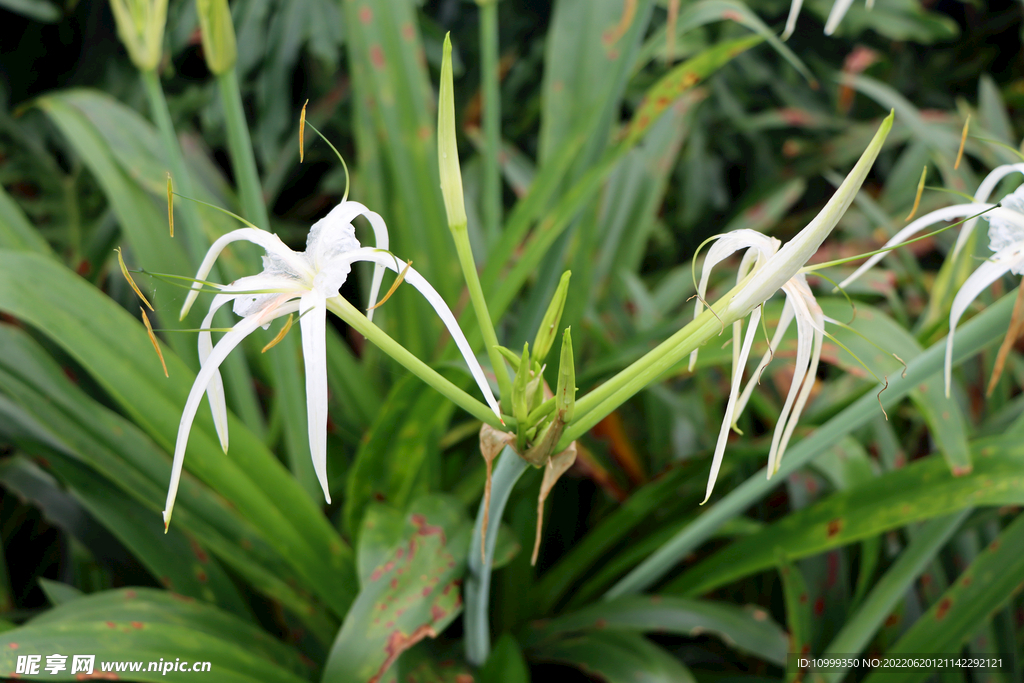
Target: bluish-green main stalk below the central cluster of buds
column 478, row 591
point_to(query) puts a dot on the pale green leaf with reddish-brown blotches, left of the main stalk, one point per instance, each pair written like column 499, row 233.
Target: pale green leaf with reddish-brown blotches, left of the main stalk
column 413, row 594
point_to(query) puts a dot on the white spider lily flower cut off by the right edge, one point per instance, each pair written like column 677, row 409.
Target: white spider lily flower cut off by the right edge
column 1006, row 238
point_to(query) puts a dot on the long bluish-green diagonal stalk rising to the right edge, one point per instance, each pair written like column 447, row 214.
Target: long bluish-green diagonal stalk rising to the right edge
column 980, row 332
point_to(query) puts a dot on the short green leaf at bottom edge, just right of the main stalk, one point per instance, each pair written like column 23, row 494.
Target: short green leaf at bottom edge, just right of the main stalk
column 617, row 658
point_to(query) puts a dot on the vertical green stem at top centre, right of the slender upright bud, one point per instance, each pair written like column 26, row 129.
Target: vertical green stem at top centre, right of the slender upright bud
column 492, row 121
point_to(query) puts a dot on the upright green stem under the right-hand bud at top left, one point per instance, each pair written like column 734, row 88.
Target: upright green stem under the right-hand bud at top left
column 241, row 148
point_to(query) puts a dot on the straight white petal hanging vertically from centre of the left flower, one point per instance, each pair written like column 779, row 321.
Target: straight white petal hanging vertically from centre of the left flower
column 313, row 309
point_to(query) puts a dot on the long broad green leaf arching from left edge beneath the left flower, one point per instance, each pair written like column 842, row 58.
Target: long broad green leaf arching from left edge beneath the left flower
column 114, row 348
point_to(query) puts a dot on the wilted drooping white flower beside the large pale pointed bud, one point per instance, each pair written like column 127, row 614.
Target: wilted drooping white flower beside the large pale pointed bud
column 800, row 305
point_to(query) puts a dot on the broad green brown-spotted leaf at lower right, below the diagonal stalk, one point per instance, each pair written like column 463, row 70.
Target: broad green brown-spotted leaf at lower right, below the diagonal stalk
column 921, row 491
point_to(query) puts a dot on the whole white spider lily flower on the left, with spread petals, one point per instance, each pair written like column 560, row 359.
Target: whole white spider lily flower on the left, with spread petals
column 298, row 282
